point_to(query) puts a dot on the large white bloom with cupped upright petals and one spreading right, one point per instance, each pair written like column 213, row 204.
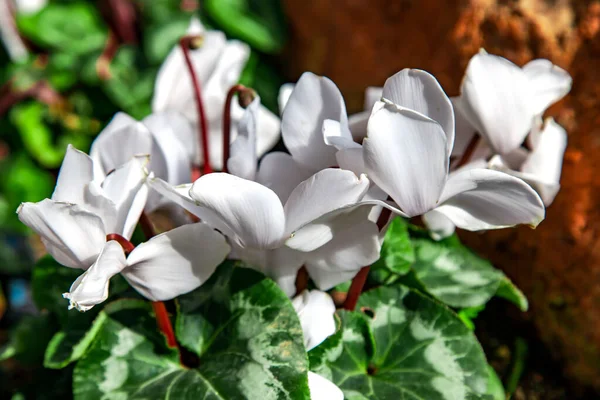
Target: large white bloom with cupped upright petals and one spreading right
column 406, row 153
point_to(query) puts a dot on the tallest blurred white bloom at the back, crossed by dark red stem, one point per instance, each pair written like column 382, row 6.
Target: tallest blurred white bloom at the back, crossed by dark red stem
column 218, row 63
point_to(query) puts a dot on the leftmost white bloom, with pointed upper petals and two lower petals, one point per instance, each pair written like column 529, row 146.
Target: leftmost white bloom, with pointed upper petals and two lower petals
column 75, row 223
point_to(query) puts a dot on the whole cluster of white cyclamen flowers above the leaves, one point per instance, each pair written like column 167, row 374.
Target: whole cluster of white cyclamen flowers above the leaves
column 483, row 160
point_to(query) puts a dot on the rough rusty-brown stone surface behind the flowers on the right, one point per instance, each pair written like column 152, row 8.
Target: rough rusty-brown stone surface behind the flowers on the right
column 359, row 43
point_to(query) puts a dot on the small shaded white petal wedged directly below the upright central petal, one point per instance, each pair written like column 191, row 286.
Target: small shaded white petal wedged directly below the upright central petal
column 281, row 173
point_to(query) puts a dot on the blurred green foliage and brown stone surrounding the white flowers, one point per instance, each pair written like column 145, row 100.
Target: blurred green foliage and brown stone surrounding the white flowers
column 67, row 66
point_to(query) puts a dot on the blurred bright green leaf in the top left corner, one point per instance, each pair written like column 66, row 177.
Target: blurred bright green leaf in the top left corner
column 74, row 27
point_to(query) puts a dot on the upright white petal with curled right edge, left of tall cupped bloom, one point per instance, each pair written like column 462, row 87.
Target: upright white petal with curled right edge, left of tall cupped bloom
column 313, row 100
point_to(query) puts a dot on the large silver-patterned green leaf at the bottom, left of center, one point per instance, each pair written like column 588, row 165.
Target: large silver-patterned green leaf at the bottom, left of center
column 255, row 349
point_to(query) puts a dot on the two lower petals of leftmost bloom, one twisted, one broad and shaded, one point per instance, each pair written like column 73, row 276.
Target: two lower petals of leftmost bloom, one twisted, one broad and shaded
column 164, row 267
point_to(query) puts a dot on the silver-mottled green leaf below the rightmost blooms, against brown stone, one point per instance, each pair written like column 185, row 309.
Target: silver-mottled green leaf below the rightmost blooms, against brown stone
column 455, row 275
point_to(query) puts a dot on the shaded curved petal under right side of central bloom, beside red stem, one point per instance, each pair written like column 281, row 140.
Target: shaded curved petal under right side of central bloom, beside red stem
column 354, row 244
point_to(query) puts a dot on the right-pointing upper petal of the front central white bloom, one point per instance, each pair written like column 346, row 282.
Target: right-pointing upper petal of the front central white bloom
column 325, row 191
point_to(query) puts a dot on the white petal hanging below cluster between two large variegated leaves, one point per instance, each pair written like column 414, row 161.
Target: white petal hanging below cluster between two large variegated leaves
column 315, row 311
